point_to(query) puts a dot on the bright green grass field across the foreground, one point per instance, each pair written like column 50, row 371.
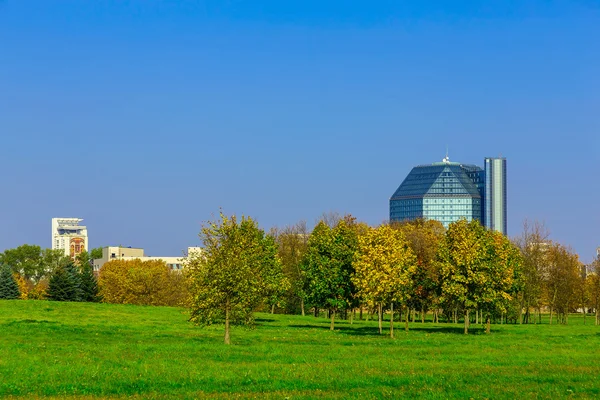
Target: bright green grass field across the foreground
column 77, row 350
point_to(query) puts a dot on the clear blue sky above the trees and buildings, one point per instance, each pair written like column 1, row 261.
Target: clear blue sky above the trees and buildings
column 144, row 117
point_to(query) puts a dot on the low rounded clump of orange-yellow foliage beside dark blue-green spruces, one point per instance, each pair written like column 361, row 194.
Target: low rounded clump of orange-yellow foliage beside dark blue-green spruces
column 140, row 282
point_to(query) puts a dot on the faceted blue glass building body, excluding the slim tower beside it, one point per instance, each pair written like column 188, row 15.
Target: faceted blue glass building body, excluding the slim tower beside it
column 444, row 191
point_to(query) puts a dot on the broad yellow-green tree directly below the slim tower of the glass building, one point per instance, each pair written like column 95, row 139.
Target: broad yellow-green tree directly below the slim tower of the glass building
column 477, row 268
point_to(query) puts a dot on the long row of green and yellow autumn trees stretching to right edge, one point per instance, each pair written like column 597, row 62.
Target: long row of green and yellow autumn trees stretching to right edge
column 404, row 269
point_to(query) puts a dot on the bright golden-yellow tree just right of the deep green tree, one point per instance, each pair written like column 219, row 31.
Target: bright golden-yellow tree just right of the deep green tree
column 384, row 268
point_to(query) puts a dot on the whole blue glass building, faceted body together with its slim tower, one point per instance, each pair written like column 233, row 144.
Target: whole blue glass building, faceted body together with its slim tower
column 447, row 191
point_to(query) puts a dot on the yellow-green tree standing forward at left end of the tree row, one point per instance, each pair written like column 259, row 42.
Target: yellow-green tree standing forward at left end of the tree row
column 234, row 274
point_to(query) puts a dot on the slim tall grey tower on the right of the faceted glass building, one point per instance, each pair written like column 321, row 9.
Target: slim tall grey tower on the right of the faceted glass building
column 495, row 194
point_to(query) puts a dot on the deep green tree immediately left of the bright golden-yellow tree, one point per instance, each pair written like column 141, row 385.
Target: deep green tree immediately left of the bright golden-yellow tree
column 328, row 266
